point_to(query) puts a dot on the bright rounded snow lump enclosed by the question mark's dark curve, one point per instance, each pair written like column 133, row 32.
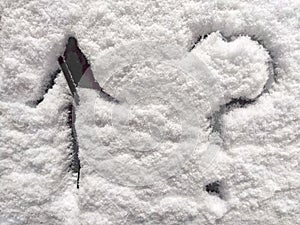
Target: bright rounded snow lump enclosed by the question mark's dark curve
column 231, row 62
